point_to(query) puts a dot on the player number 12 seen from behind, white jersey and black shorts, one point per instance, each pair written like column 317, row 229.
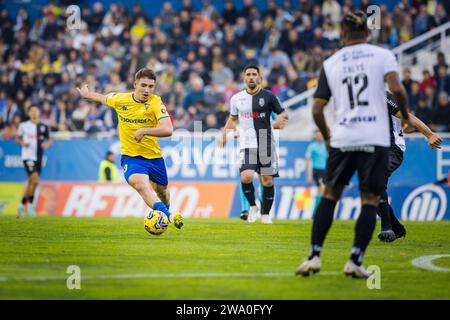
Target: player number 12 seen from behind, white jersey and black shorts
column 360, row 138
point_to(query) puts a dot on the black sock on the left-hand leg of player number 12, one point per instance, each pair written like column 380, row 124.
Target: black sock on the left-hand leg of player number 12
column 321, row 224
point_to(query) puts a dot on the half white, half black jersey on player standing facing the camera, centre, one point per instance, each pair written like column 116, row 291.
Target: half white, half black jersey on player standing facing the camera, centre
column 255, row 117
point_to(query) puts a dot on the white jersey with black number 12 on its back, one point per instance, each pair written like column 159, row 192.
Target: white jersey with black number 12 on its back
column 354, row 76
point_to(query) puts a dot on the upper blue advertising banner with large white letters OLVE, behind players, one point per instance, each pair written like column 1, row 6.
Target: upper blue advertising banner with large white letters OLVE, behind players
column 197, row 160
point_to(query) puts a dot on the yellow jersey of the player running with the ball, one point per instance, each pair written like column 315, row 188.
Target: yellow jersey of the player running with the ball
column 134, row 115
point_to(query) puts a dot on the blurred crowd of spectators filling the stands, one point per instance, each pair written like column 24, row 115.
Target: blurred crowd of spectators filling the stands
column 197, row 54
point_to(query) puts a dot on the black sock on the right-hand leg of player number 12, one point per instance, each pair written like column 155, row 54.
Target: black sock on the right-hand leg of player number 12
column 365, row 225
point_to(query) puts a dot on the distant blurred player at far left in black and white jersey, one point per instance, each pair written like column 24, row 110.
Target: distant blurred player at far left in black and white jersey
column 34, row 137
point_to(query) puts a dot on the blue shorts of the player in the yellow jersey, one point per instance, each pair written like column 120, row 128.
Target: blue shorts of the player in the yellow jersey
column 154, row 168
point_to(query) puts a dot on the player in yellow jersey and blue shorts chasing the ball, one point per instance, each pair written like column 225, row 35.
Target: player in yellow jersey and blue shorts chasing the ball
column 142, row 119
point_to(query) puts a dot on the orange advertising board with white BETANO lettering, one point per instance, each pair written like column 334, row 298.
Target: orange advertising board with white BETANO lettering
column 196, row 200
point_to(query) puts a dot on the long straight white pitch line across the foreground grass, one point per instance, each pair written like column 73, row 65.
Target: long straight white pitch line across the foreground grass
column 180, row 275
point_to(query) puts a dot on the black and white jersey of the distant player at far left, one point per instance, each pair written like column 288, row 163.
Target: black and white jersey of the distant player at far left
column 33, row 135
